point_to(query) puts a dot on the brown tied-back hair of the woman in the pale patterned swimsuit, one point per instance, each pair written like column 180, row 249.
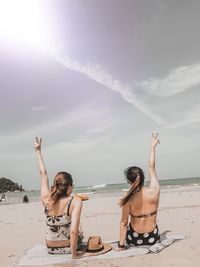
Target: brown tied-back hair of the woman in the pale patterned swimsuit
column 60, row 185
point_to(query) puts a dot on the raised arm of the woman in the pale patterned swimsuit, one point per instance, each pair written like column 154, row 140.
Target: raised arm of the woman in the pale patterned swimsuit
column 42, row 169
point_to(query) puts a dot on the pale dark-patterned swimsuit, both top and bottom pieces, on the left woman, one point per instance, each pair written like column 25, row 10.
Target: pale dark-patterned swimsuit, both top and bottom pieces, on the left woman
column 58, row 229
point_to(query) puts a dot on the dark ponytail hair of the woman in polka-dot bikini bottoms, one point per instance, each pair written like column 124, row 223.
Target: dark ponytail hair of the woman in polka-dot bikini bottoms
column 135, row 176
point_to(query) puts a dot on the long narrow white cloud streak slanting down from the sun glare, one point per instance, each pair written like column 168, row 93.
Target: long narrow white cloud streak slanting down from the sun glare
column 96, row 73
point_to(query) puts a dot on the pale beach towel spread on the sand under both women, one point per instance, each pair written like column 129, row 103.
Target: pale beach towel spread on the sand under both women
column 38, row 256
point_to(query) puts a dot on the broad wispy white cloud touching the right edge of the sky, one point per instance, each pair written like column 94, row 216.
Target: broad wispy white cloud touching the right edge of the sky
column 177, row 81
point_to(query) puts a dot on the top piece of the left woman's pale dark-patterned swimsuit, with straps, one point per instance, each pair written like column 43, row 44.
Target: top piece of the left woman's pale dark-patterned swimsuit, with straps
column 58, row 226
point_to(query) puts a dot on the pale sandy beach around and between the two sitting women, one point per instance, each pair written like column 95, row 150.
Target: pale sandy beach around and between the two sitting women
column 23, row 225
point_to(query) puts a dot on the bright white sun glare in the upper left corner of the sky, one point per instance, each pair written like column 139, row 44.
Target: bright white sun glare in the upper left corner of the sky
column 24, row 21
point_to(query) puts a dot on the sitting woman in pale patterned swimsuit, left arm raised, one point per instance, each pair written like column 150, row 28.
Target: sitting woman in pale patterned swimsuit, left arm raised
column 62, row 210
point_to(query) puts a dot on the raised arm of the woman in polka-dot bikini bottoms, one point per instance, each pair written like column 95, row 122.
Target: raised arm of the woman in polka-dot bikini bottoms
column 154, row 183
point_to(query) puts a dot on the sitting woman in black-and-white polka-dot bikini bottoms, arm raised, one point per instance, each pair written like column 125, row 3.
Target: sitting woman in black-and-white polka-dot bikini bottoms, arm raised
column 141, row 205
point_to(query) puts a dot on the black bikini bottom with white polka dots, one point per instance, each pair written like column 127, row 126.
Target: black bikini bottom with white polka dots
column 136, row 239
